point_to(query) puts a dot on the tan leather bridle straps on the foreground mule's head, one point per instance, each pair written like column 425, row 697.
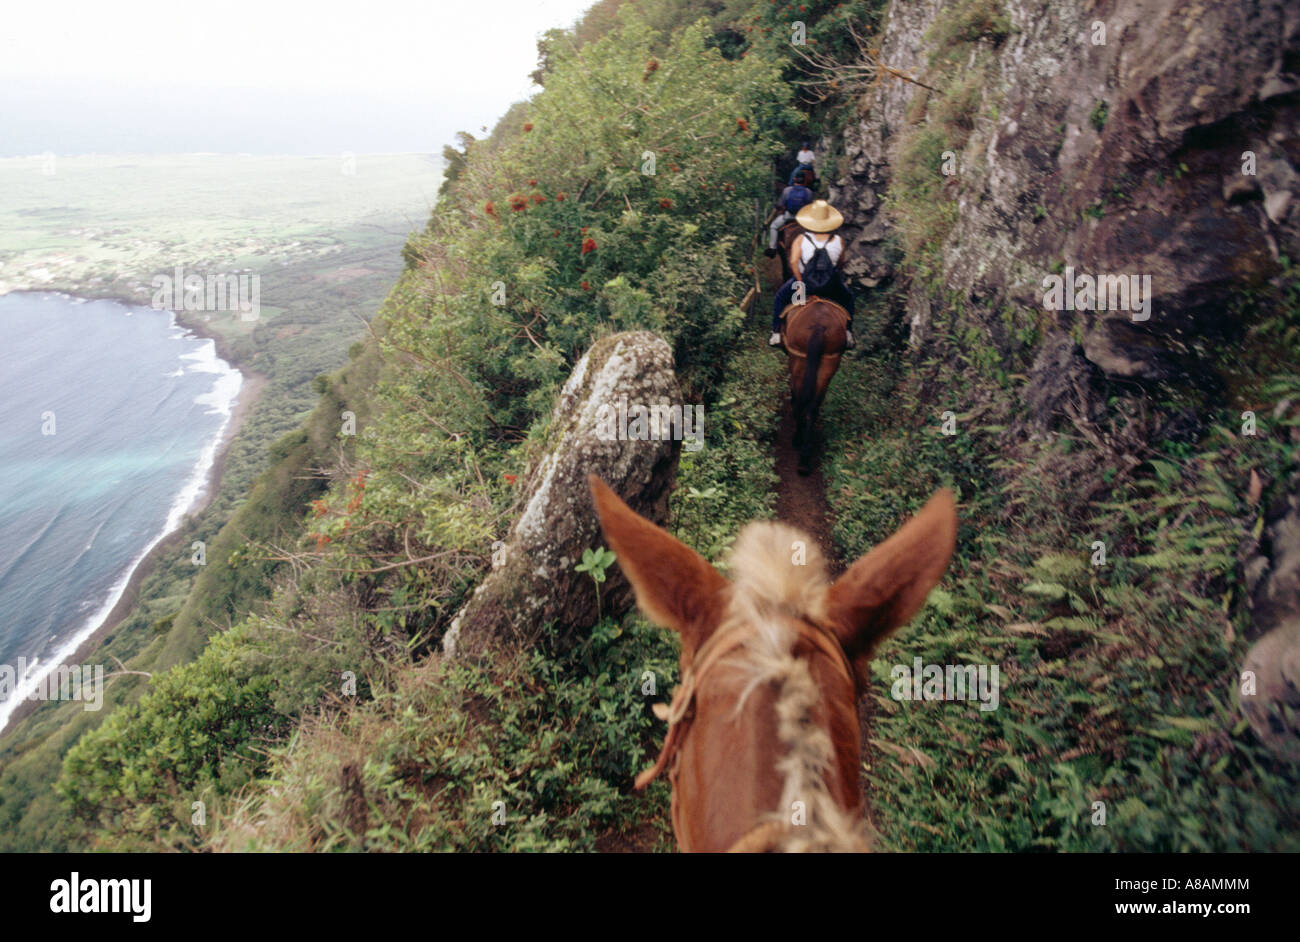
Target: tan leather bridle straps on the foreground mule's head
column 681, row 714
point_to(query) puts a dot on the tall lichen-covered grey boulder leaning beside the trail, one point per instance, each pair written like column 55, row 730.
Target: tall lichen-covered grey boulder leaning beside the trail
column 535, row 585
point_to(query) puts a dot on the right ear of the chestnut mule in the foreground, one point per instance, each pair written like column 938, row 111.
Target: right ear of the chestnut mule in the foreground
column 886, row 588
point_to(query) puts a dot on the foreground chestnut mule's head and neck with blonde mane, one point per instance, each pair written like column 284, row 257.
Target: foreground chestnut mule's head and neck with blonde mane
column 764, row 737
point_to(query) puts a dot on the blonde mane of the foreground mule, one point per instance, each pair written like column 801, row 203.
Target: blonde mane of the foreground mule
column 778, row 571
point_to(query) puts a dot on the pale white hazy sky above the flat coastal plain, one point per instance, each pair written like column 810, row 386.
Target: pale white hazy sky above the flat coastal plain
column 265, row 76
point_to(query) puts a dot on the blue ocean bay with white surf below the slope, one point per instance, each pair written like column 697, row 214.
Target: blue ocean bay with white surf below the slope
column 111, row 418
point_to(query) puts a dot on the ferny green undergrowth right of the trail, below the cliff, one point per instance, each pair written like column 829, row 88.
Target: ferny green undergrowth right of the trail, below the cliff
column 1119, row 680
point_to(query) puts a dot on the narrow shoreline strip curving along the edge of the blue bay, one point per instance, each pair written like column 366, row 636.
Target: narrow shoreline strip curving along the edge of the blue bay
column 250, row 392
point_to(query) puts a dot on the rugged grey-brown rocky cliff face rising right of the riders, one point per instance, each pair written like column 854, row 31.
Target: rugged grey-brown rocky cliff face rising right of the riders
column 1151, row 138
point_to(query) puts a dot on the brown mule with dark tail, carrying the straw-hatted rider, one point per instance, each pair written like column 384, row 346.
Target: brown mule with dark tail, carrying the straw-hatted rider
column 816, row 336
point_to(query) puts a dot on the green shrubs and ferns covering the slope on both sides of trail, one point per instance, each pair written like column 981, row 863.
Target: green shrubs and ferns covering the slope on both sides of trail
column 322, row 718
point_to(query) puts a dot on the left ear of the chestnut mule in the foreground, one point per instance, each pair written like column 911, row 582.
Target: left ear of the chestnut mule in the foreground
column 677, row 588
